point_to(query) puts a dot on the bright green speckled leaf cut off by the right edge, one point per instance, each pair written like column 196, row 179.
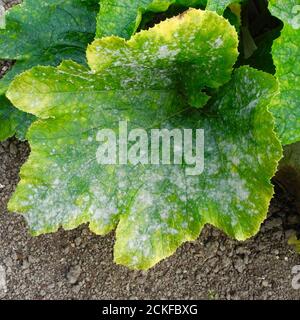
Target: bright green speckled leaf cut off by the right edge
column 286, row 52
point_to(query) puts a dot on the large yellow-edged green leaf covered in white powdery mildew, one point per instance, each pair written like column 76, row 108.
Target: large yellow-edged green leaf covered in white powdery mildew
column 147, row 81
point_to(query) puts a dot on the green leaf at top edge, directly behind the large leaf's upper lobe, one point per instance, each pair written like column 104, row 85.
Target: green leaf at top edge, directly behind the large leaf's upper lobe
column 122, row 18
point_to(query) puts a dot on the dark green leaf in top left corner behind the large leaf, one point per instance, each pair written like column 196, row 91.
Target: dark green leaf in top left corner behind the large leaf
column 40, row 32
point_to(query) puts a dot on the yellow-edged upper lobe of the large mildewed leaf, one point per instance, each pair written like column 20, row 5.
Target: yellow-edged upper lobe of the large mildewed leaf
column 173, row 51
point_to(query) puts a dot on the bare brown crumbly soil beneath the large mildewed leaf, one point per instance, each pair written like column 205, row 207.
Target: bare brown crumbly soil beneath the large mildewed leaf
column 79, row 265
